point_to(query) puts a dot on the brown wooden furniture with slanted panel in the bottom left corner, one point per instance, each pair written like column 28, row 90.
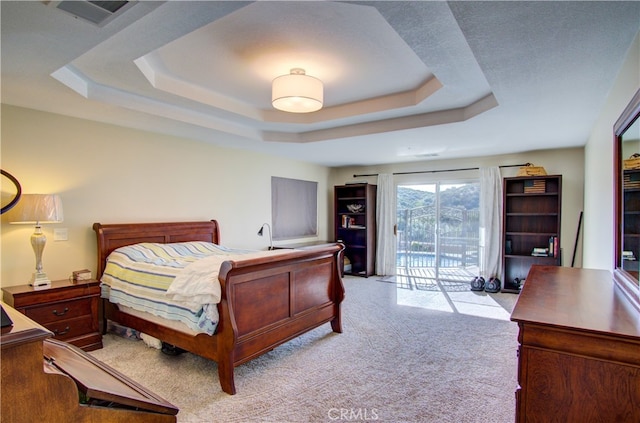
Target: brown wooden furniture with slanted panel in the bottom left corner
column 48, row 380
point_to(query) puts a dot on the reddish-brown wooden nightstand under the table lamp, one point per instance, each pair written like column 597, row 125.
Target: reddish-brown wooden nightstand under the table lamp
column 69, row 310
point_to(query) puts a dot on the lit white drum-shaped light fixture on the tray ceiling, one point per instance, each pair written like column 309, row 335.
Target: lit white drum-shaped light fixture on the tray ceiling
column 297, row 92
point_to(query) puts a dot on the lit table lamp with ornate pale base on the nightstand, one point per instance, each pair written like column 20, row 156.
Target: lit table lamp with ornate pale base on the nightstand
column 37, row 209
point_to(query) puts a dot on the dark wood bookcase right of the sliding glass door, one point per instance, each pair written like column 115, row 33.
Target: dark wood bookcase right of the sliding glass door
column 531, row 226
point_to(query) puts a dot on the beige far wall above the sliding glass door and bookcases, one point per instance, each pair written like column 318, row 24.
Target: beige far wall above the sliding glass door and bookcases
column 566, row 162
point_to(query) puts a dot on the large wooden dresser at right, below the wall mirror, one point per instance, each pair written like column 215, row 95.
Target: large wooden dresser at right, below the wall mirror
column 579, row 352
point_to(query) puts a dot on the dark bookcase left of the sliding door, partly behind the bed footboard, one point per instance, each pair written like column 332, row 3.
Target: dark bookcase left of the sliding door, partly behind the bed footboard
column 355, row 226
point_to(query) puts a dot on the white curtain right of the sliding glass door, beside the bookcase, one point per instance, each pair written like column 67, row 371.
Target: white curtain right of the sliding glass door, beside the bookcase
column 490, row 222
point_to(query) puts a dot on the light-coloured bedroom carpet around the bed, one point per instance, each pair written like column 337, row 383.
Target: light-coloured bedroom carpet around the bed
column 393, row 363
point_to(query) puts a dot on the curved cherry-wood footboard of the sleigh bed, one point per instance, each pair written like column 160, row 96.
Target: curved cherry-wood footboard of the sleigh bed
column 267, row 302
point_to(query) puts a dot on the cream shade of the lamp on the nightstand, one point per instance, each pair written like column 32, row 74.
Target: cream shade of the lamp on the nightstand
column 36, row 209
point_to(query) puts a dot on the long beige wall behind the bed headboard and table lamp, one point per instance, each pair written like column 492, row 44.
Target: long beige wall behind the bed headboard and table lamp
column 111, row 174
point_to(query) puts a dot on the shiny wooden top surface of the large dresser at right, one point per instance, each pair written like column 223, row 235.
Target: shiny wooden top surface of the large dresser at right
column 582, row 299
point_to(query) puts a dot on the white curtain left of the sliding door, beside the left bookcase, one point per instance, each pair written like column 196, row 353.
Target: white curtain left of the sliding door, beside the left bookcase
column 385, row 222
